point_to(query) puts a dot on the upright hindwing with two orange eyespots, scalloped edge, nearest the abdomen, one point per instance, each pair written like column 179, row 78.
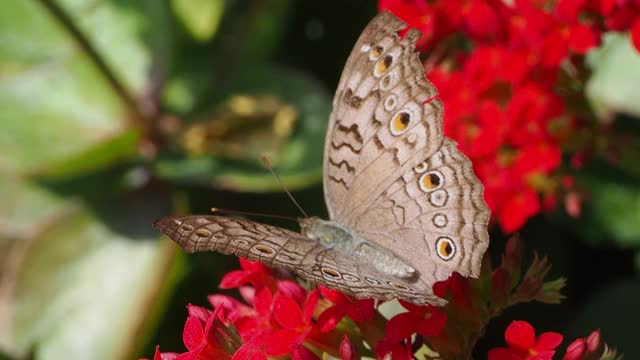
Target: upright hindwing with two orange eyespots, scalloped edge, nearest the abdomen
column 433, row 217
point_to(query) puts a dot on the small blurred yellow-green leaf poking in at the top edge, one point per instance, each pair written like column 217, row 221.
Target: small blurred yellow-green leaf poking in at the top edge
column 200, row 17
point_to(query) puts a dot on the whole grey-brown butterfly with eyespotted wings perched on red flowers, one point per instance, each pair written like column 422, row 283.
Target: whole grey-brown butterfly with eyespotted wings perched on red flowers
column 406, row 209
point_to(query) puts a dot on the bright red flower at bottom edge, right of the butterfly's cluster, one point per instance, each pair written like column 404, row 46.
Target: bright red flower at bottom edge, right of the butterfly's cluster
column 523, row 344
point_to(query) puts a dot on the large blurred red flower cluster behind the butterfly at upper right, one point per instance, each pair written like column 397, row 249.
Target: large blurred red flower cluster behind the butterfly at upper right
column 501, row 100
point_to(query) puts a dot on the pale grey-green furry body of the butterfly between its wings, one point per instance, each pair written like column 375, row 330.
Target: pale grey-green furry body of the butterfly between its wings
column 335, row 236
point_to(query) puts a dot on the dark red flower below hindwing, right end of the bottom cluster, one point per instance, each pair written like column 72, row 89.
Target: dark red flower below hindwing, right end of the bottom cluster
column 424, row 320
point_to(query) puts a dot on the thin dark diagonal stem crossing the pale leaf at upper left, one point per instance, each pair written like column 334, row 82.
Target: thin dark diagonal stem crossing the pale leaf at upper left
column 137, row 117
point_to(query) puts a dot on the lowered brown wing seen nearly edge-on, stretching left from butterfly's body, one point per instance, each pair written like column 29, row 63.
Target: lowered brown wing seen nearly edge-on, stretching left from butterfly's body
column 277, row 247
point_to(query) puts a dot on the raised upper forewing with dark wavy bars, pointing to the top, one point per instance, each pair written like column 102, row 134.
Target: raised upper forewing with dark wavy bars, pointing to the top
column 385, row 118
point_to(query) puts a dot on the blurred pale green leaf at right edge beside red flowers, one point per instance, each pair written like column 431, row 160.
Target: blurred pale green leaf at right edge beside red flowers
column 613, row 87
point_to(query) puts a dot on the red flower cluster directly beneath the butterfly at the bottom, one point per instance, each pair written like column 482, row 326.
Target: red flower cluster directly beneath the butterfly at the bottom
column 279, row 317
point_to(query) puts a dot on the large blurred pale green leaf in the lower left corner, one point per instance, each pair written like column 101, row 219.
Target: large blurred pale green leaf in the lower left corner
column 79, row 282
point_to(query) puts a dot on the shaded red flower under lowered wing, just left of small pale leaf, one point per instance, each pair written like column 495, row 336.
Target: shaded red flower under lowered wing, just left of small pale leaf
column 357, row 310
